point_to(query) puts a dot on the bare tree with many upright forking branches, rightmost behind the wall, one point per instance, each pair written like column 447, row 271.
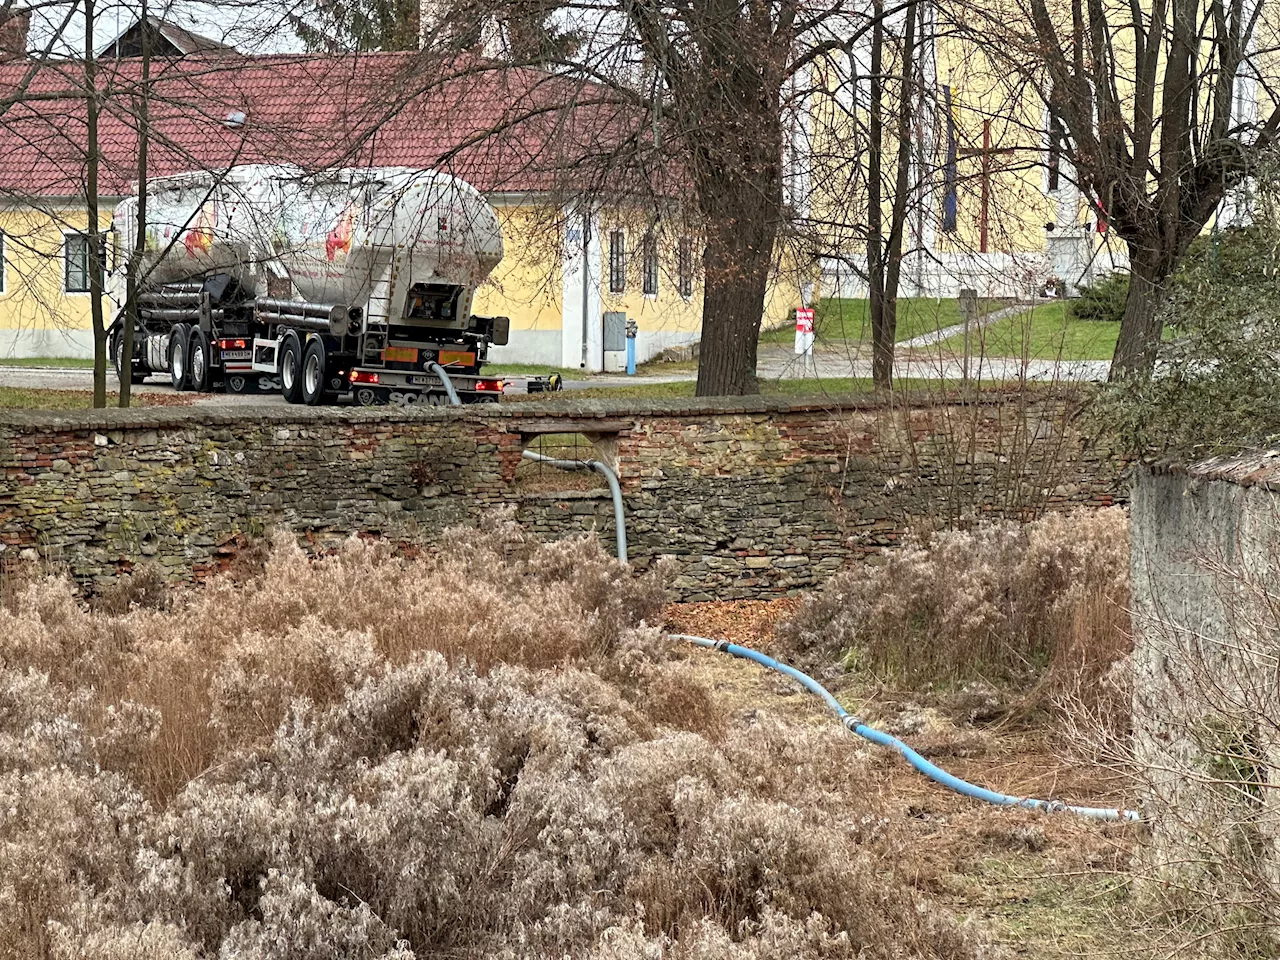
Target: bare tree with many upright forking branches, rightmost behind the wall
column 1160, row 107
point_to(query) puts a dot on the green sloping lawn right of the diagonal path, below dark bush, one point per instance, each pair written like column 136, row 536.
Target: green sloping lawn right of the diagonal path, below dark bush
column 1045, row 332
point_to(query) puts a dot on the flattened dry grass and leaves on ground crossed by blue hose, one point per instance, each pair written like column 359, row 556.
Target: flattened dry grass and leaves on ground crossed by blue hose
column 1045, row 888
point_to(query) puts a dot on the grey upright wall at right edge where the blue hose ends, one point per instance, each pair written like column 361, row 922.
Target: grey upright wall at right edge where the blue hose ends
column 1206, row 573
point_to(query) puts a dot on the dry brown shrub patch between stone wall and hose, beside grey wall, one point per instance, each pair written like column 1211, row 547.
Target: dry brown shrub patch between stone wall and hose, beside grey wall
column 1005, row 602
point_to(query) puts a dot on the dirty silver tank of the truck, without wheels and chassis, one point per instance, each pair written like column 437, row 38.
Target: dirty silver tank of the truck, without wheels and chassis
column 359, row 237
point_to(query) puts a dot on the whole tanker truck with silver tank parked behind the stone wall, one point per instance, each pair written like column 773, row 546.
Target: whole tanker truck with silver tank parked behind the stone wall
column 356, row 285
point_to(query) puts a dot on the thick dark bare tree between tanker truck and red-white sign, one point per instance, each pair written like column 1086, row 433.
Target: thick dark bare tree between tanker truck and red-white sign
column 720, row 68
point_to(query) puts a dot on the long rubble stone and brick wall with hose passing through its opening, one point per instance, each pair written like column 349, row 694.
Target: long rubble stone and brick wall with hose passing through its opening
column 753, row 497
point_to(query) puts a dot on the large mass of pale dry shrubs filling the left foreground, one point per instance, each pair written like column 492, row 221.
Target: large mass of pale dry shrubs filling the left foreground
column 479, row 755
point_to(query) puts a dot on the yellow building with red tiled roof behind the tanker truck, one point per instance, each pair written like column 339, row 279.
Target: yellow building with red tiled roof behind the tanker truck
column 569, row 300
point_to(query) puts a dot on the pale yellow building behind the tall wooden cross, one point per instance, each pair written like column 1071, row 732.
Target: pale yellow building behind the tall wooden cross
column 994, row 202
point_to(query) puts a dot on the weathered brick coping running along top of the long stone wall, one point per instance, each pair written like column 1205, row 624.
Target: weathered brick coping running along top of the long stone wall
column 209, row 414
